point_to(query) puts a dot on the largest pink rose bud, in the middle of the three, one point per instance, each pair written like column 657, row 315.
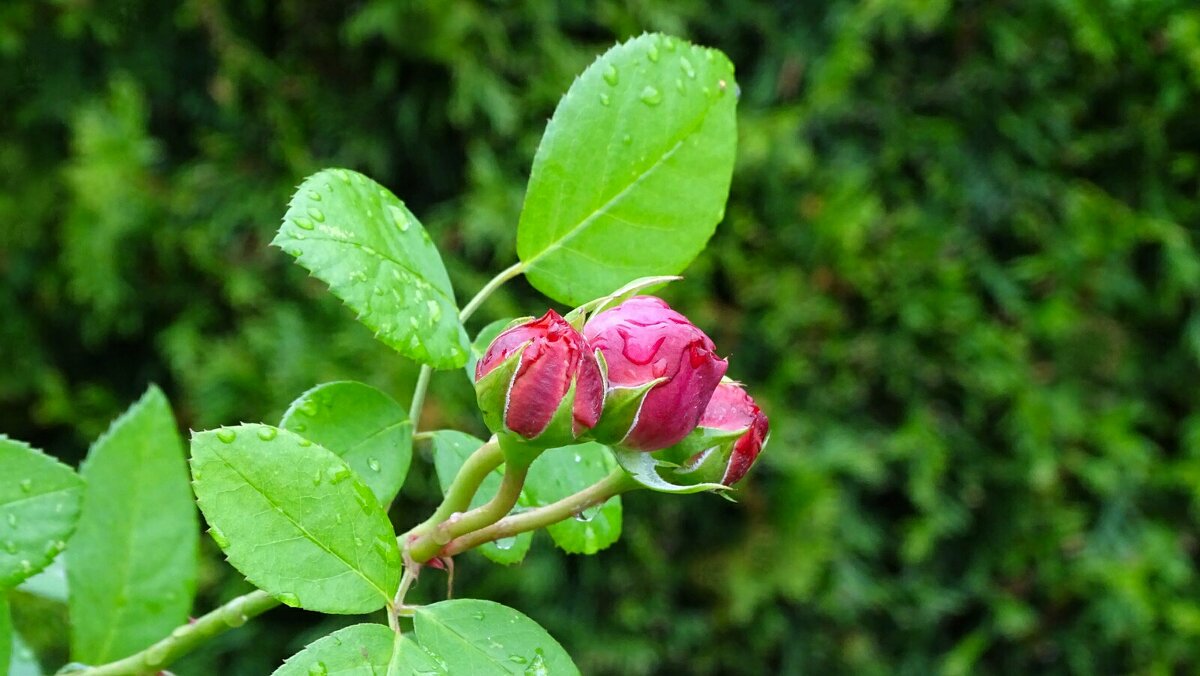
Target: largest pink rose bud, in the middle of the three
column 662, row 372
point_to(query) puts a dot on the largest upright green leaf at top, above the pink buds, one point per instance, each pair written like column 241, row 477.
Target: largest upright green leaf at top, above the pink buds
column 633, row 172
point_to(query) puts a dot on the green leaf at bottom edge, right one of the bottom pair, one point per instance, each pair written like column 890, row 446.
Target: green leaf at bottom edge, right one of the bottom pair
column 481, row 637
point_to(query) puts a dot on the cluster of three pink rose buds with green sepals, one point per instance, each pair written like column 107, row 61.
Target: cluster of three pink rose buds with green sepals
column 640, row 378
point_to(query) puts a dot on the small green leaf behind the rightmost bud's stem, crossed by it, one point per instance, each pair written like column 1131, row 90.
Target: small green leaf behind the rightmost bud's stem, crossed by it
column 561, row 472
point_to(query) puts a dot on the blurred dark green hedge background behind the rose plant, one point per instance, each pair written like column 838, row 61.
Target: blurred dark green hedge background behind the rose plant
column 958, row 270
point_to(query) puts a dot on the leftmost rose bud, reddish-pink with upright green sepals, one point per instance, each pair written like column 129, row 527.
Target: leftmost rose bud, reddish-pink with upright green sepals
column 541, row 381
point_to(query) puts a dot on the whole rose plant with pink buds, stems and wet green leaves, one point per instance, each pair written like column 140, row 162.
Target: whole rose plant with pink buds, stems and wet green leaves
column 622, row 393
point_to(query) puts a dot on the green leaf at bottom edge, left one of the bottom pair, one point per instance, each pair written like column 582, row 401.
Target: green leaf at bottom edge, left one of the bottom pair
column 358, row 650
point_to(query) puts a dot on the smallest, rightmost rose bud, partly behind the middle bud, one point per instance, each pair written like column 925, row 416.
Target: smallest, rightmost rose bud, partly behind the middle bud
column 731, row 435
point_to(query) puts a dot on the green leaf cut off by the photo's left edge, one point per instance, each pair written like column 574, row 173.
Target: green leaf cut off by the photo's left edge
column 39, row 510
